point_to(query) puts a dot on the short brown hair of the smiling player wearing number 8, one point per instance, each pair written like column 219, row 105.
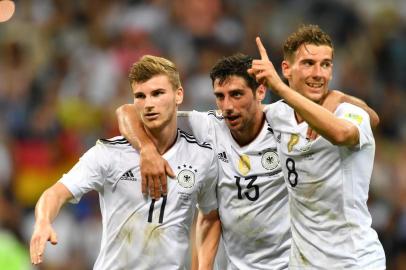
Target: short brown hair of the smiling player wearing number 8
column 306, row 34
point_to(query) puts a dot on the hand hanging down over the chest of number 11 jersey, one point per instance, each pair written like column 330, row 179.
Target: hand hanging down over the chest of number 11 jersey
column 154, row 172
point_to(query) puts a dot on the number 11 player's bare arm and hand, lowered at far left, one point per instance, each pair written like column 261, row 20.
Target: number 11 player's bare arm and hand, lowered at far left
column 46, row 210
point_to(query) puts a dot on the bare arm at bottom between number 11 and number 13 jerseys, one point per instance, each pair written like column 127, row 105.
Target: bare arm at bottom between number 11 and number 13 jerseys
column 208, row 231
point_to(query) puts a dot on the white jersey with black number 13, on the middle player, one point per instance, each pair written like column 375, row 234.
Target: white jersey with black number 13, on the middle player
column 252, row 195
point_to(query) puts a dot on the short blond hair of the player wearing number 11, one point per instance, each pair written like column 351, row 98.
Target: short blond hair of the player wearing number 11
column 149, row 66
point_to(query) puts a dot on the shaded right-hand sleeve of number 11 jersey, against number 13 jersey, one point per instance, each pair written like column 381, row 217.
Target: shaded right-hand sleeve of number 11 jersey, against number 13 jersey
column 207, row 196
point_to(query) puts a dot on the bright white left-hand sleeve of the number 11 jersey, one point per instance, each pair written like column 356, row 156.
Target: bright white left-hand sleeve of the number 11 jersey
column 87, row 174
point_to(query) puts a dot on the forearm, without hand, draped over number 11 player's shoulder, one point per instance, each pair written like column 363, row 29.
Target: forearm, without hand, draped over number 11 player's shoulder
column 131, row 127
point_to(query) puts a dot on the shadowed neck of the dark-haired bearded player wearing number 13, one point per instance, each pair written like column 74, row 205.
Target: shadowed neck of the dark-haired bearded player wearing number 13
column 251, row 131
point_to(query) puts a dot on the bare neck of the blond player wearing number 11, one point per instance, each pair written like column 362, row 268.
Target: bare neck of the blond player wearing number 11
column 165, row 136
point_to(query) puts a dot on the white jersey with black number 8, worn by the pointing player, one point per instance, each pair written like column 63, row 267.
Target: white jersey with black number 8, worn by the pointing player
column 328, row 191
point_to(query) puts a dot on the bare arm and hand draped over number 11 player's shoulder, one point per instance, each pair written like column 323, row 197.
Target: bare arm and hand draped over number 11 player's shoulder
column 154, row 168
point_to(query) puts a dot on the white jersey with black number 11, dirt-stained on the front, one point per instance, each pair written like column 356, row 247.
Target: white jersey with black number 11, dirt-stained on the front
column 140, row 233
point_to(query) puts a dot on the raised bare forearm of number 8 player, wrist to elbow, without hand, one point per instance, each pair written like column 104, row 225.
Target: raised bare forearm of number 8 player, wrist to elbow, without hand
column 337, row 131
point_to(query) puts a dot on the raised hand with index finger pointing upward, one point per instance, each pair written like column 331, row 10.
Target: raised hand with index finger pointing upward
column 263, row 69
